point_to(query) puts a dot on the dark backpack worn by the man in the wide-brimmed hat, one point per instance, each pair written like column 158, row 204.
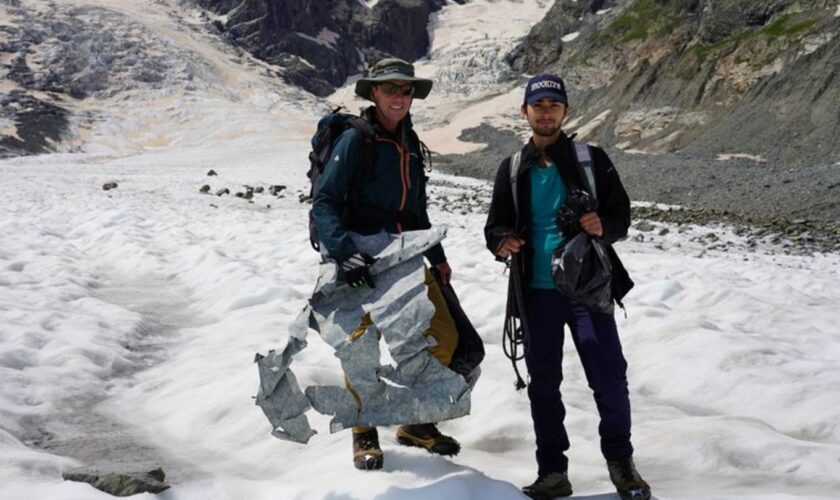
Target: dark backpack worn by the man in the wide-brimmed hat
column 330, row 128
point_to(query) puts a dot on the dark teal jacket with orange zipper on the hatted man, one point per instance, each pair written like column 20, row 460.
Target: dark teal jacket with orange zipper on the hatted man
column 391, row 195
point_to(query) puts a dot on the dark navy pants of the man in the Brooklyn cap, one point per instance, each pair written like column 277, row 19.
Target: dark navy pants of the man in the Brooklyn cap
column 596, row 339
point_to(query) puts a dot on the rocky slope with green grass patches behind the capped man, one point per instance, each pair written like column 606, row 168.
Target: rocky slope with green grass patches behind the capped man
column 717, row 76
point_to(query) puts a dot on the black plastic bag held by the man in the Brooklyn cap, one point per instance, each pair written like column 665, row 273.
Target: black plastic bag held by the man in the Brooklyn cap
column 582, row 271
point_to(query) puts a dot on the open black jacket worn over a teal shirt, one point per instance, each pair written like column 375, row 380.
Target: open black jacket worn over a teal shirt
column 613, row 207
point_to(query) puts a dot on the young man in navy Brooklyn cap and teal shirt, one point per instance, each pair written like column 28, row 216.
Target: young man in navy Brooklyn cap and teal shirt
column 526, row 228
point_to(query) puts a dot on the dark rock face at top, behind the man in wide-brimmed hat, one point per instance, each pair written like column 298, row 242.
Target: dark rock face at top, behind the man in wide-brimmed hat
column 318, row 45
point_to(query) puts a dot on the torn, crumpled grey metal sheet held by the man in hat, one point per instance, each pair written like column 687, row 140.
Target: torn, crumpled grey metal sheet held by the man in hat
column 417, row 389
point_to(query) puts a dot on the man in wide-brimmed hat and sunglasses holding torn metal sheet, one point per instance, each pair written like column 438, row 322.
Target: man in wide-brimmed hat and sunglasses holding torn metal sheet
column 391, row 196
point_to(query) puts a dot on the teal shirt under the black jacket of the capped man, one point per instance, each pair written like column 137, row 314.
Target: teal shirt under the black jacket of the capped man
column 548, row 193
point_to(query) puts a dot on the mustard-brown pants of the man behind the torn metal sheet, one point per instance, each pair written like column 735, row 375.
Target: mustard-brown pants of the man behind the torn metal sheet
column 441, row 327
